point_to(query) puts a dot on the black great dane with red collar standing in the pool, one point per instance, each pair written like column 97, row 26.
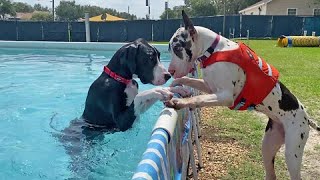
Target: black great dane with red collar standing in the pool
column 113, row 101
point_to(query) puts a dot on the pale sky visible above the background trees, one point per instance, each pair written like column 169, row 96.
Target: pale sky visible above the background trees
column 137, row 7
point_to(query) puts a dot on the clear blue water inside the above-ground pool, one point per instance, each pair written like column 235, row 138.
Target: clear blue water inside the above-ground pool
column 38, row 86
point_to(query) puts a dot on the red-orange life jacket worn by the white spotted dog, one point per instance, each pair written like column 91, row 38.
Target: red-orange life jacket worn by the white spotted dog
column 260, row 76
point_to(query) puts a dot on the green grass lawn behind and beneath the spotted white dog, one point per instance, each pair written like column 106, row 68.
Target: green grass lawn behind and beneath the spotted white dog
column 300, row 72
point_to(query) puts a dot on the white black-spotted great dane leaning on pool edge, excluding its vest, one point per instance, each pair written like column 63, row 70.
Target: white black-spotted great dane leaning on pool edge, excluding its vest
column 223, row 81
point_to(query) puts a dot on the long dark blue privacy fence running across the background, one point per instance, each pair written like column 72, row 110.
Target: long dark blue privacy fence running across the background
column 157, row 30
